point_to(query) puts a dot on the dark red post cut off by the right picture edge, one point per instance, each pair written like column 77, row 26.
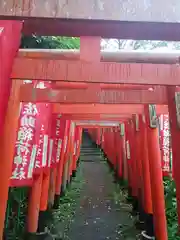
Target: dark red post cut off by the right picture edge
column 173, row 105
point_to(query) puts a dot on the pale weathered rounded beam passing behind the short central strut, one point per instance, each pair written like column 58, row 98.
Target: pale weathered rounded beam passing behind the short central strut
column 123, row 56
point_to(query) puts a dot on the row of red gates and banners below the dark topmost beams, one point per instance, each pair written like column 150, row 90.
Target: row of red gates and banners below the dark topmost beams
column 45, row 102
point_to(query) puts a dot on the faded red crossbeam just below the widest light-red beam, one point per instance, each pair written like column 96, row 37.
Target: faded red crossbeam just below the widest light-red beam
column 93, row 95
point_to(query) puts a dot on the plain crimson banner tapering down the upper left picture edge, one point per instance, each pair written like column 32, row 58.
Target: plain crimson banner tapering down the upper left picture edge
column 10, row 36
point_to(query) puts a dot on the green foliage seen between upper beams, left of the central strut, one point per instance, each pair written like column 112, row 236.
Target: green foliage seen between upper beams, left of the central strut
column 50, row 42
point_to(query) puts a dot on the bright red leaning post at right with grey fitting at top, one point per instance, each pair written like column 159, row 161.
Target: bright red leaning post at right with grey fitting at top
column 157, row 188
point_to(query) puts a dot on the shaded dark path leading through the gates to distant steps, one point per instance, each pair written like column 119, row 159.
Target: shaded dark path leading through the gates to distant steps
column 97, row 216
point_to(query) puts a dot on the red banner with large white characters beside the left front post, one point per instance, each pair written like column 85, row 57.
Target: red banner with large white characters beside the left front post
column 25, row 149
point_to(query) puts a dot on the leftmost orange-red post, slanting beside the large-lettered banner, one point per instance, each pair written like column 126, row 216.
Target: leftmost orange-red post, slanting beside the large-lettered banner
column 7, row 143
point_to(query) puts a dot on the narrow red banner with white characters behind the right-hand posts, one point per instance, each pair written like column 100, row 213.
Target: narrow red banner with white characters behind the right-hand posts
column 165, row 143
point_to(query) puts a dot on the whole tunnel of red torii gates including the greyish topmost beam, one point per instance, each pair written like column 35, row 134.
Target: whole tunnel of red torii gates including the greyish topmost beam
column 49, row 96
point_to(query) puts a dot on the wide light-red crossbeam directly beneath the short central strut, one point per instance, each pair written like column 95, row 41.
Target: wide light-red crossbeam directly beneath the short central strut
column 63, row 70
